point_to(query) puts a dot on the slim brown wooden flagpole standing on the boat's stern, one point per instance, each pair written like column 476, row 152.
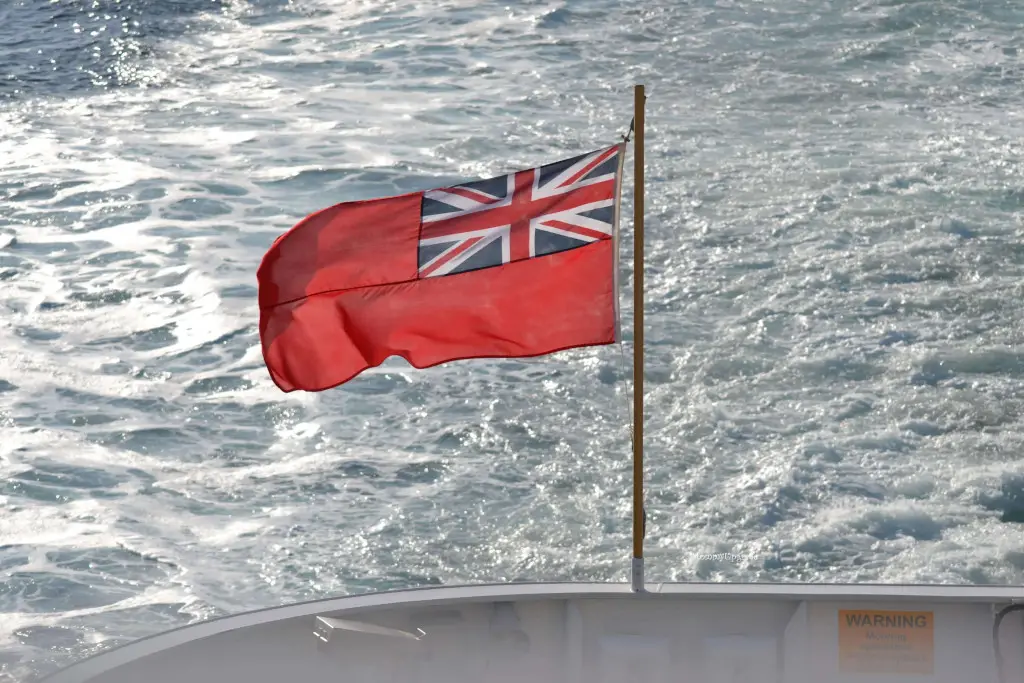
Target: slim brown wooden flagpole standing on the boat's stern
column 638, row 511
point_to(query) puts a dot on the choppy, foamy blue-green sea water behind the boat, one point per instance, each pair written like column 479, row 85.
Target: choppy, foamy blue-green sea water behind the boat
column 835, row 326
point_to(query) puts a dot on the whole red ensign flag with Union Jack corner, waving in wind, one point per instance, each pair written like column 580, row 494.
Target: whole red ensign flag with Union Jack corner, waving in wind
column 519, row 266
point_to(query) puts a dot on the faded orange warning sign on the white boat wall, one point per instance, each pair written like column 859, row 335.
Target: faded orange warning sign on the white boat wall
column 873, row 642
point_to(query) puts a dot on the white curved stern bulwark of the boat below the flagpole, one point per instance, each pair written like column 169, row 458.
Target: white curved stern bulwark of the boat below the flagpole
column 594, row 633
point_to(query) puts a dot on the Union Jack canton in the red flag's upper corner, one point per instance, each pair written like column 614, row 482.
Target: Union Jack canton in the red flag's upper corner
column 527, row 215
